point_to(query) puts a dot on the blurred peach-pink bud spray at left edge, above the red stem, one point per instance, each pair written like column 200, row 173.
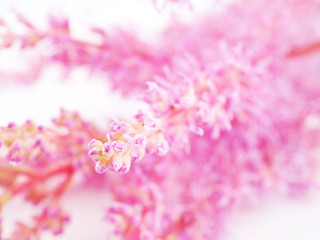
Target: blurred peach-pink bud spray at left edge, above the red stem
column 37, row 145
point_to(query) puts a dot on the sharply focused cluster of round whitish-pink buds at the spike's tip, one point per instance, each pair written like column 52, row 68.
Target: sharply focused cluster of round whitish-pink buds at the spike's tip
column 127, row 143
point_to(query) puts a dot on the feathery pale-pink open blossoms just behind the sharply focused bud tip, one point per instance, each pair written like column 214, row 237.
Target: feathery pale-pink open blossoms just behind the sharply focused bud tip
column 208, row 98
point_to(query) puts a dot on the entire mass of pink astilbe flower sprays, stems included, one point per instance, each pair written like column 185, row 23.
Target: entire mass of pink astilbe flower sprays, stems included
column 234, row 114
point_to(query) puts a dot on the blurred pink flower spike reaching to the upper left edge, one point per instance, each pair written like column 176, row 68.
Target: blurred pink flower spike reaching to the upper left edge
column 117, row 54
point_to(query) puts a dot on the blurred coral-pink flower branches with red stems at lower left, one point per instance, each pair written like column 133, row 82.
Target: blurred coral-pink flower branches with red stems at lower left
column 38, row 155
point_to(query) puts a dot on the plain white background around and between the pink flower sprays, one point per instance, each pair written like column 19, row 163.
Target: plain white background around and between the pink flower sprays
column 275, row 218
